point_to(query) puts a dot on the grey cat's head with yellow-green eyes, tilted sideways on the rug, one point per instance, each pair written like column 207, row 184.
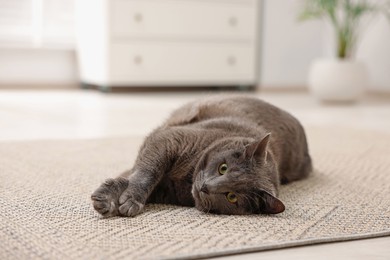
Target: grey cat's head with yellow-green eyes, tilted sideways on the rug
column 237, row 176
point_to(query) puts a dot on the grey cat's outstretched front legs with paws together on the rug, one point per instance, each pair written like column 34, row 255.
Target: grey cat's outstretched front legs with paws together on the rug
column 153, row 161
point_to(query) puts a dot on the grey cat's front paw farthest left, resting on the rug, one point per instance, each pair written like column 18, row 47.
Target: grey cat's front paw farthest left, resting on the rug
column 106, row 198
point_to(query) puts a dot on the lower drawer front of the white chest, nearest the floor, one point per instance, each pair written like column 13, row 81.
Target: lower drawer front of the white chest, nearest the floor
column 175, row 62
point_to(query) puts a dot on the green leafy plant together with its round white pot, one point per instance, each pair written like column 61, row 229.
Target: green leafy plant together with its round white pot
column 341, row 78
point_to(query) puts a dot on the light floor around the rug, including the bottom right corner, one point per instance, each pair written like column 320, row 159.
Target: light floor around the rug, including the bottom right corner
column 70, row 114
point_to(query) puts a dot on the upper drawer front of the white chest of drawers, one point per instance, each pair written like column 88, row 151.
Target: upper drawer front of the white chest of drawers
column 172, row 19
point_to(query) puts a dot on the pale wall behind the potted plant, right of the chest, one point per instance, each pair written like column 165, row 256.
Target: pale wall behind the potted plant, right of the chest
column 290, row 46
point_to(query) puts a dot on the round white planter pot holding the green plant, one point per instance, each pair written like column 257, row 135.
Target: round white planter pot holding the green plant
column 334, row 80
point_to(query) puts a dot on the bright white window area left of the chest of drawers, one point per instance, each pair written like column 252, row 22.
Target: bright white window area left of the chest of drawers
column 37, row 23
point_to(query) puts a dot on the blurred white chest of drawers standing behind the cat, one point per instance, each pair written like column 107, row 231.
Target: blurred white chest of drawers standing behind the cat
column 168, row 42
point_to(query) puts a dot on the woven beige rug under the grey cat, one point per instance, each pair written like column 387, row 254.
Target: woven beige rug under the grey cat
column 46, row 211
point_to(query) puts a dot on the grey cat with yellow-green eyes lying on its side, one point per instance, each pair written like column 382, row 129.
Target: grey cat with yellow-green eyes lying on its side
column 224, row 155
